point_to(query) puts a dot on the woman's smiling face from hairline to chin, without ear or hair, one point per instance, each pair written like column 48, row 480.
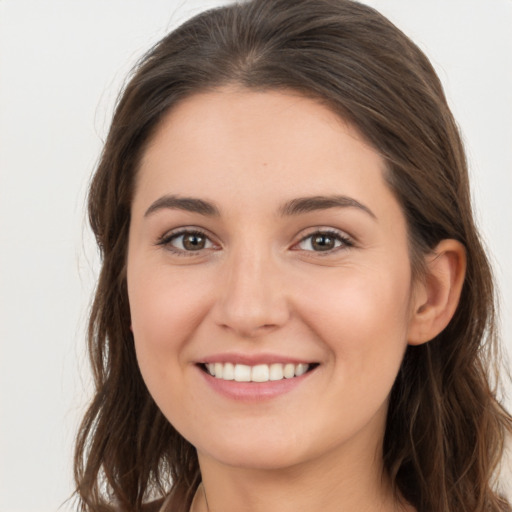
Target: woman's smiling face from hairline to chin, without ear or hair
column 265, row 243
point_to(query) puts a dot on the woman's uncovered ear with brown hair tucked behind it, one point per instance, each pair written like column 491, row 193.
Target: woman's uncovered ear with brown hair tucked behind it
column 436, row 297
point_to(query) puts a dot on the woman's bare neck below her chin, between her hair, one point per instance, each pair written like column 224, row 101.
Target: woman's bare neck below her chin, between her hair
column 319, row 485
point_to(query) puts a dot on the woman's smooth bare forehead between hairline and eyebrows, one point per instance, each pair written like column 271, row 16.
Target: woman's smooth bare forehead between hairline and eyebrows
column 248, row 147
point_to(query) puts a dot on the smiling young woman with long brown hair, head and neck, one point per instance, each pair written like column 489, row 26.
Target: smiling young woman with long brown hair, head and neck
column 294, row 310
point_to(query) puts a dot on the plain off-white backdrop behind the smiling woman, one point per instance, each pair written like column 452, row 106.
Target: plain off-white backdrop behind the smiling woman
column 62, row 64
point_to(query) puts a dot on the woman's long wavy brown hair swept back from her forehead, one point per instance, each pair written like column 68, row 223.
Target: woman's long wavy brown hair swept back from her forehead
column 445, row 428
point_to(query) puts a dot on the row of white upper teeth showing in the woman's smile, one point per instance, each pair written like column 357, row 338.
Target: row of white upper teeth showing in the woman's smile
column 258, row 373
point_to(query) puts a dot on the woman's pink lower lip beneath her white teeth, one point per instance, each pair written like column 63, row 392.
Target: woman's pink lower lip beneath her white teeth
column 253, row 391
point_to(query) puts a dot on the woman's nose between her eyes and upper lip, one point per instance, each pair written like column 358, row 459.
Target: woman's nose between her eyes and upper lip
column 252, row 299
